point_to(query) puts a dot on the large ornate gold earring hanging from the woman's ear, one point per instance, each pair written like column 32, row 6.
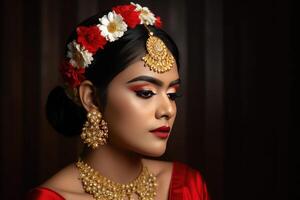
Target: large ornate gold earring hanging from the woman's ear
column 94, row 131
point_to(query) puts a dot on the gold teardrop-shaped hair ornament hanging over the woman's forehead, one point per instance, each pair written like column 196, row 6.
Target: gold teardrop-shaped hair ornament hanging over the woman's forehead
column 158, row 58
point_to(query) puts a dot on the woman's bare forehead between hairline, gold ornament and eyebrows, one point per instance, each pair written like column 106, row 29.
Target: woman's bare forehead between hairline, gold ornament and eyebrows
column 138, row 69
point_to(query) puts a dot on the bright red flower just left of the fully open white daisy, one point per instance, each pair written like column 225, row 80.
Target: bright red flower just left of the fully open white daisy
column 90, row 38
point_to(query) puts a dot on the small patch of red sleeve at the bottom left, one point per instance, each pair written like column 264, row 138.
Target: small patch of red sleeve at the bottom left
column 41, row 193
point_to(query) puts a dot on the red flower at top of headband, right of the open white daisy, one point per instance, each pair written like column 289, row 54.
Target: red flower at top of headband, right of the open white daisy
column 130, row 16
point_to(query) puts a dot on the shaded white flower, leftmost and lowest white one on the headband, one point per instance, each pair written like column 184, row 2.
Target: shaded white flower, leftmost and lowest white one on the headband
column 79, row 56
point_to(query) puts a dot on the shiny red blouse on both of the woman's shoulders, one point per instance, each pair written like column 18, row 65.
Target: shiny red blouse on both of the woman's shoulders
column 186, row 184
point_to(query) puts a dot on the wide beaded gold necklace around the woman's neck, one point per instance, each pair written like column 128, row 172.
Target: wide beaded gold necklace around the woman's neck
column 101, row 188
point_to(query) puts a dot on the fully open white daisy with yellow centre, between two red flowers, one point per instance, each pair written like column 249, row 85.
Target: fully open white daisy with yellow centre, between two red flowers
column 112, row 26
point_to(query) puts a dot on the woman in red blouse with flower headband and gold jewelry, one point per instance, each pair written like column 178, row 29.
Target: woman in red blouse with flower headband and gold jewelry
column 121, row 81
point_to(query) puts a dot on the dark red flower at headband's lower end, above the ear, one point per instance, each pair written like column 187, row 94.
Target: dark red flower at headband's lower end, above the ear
column 71, row 75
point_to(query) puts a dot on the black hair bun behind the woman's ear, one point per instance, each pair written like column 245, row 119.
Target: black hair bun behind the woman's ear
column 63, row 114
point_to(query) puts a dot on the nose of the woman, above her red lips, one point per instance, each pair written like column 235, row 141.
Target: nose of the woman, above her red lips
column 166, row 108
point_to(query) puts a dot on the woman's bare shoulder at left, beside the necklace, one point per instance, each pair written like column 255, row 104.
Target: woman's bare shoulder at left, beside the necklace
column 65, row 184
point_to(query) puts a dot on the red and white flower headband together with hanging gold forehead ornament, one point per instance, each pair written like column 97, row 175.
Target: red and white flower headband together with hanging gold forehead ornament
column 111, row 27
